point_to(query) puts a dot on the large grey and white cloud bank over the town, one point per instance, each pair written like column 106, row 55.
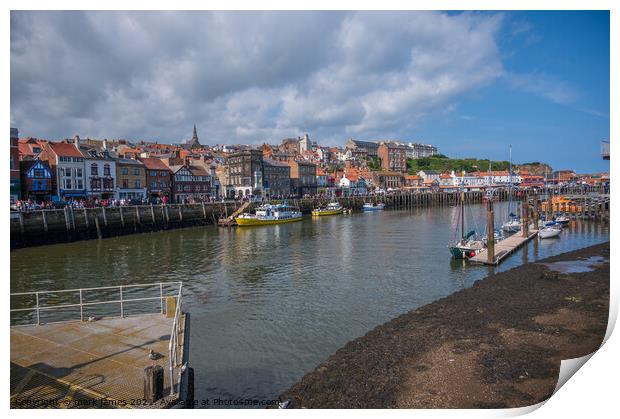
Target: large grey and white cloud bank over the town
column 243, row 76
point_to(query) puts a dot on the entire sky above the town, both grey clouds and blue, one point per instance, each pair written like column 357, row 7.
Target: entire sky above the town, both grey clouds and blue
column 471, row 83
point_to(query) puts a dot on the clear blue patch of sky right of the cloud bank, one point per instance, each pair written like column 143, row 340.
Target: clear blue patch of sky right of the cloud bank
column 552, row 103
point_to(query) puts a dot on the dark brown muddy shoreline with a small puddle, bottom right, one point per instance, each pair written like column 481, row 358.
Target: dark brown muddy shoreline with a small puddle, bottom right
column 497, row 344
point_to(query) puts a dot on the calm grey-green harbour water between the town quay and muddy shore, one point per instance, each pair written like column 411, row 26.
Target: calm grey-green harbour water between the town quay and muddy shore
column 270, row 303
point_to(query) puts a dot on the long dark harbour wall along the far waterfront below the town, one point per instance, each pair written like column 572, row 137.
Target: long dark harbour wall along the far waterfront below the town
column 42, row 227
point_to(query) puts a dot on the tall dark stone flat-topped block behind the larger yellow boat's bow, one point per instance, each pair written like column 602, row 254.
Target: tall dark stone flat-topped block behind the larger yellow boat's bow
column 245, row 173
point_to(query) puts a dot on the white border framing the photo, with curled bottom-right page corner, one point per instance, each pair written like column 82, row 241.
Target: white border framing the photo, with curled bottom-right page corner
column 591, row 393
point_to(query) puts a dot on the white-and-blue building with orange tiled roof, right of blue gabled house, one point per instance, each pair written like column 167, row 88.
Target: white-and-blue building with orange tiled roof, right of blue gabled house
column 67, row 165
